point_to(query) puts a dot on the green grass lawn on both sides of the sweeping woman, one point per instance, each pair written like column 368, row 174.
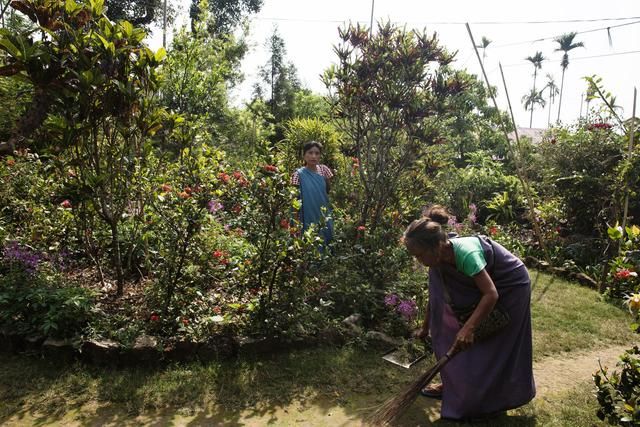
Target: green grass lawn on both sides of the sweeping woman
column 566, row 318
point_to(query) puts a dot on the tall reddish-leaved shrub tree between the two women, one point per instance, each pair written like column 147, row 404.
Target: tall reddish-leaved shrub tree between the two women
column 388, row 95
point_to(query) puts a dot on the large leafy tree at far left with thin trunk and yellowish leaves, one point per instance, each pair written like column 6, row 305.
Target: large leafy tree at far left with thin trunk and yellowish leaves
column 100, row 77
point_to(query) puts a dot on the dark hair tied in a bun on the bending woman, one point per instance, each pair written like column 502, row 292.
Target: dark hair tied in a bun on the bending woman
column 428, row 231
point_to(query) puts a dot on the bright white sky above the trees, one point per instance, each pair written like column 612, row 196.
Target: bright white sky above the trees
column 516, row 30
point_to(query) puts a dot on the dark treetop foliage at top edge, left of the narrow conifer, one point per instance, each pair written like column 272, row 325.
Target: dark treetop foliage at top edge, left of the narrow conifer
column 227, row 14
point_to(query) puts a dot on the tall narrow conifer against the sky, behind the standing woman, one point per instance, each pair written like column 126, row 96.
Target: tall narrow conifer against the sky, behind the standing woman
column 281, row 82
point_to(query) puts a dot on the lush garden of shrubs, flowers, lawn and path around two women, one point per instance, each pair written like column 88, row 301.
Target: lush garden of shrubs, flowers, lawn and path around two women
column 153, row 268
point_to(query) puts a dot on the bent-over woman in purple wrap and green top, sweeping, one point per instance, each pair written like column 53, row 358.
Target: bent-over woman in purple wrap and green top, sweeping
column 489, row 377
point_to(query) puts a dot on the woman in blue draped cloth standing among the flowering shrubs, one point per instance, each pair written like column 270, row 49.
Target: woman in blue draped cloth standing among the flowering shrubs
column 314, row 179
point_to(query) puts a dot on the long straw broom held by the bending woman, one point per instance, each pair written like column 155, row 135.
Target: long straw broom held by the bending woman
column 392, row 408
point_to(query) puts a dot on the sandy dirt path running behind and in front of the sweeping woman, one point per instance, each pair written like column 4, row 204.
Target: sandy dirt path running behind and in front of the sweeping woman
column 552, row 375
